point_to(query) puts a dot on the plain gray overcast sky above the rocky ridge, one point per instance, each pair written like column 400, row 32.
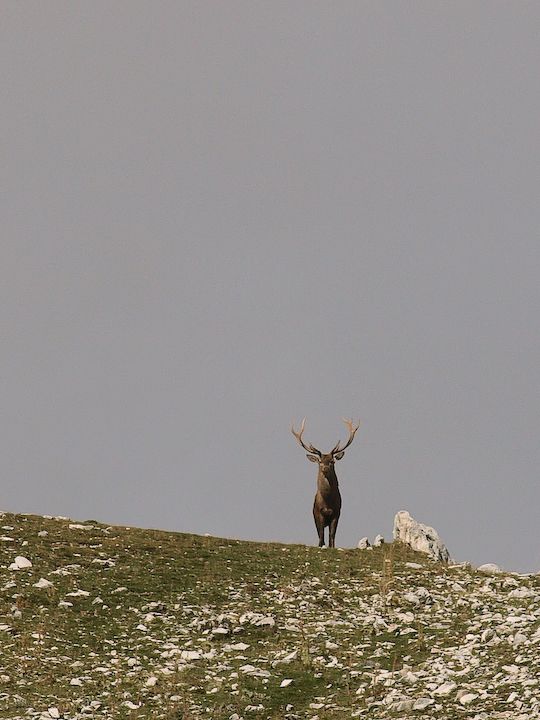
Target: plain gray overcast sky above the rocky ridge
column 220, row 216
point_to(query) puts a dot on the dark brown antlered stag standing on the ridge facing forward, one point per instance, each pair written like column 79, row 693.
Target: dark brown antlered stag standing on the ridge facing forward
column 327, row 504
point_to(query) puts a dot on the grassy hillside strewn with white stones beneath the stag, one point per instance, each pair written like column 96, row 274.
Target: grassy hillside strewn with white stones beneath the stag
column 112, row 622
